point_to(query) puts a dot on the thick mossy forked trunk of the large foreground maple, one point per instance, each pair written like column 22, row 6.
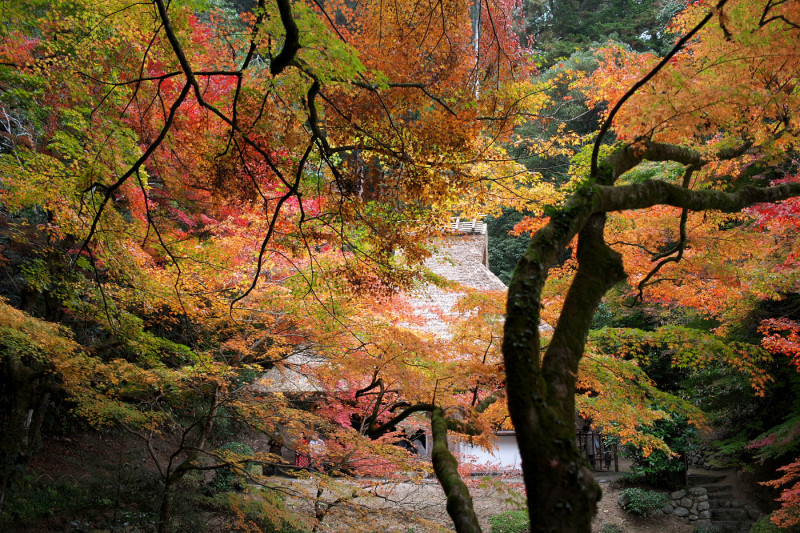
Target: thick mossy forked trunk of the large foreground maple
column 562, row 492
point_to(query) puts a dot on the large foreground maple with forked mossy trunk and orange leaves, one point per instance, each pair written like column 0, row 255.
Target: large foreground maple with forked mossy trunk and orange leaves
column 655, row 119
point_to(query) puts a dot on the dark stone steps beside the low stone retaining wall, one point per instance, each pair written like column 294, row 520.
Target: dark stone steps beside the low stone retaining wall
column 728, row 514
